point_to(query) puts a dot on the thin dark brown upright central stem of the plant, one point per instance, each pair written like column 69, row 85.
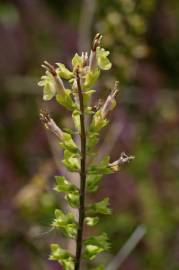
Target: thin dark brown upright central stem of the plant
column 82, row 177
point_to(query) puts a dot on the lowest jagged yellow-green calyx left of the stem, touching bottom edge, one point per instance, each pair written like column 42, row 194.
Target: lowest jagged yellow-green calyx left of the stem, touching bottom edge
column 62, row 256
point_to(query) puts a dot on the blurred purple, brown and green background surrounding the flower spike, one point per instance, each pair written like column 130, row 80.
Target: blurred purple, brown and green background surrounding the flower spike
column 143, row 38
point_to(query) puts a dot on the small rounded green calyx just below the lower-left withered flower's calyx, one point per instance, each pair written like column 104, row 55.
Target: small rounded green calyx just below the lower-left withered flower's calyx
column 71, row 162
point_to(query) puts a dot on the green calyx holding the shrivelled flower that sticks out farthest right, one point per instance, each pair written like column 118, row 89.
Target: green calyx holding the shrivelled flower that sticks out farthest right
column 101, row 168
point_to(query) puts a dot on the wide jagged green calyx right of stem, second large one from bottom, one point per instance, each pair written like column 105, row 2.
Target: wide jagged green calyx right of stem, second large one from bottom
column 101, row 207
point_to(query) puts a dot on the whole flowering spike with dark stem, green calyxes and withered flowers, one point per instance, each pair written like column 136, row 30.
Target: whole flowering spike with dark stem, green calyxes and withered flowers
column 79, row 159
